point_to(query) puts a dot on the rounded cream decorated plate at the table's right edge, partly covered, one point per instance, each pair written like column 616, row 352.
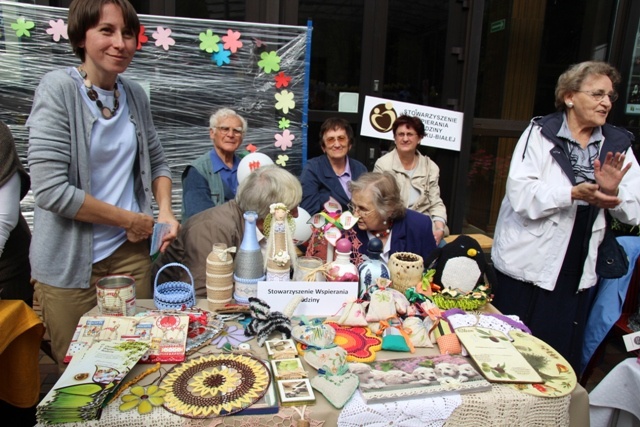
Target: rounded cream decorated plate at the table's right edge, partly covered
column 558, row 375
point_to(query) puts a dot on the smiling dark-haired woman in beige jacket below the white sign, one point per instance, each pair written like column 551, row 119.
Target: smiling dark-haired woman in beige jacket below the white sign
column 417, row 175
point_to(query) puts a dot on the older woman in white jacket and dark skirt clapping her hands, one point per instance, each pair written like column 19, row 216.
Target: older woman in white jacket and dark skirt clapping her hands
column 567, row 168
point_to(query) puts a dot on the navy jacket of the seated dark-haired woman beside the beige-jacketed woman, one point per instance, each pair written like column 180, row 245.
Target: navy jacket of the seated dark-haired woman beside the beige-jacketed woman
column 319, row 181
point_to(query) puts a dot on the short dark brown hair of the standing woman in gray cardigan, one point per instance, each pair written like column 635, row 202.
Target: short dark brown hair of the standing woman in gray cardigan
column 85, row 14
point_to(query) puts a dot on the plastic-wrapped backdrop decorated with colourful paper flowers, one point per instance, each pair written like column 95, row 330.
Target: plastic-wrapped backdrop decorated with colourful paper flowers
column 187, row 67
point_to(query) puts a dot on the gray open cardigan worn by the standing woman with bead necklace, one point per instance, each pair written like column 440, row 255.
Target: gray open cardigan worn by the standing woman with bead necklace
column 60, row 128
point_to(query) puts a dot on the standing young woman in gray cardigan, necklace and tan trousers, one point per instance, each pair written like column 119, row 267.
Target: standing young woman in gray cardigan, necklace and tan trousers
column 95, row 162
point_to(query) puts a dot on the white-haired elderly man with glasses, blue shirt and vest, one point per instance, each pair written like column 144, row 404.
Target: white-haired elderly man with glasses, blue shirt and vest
column 212, row 178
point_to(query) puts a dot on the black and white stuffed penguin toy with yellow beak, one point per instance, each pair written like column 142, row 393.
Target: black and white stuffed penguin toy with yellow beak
column 460, row 264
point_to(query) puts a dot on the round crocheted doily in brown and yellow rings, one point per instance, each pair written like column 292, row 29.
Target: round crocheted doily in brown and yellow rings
column 214, row 385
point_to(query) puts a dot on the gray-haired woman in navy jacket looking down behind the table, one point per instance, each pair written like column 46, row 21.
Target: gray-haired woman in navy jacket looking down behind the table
column 375, row 200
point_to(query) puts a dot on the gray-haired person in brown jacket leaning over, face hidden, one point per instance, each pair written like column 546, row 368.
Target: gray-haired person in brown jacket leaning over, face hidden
column 225, row 223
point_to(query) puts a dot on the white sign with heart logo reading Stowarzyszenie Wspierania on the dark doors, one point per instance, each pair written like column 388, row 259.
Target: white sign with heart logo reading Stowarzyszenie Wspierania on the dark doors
column 443, row 128
